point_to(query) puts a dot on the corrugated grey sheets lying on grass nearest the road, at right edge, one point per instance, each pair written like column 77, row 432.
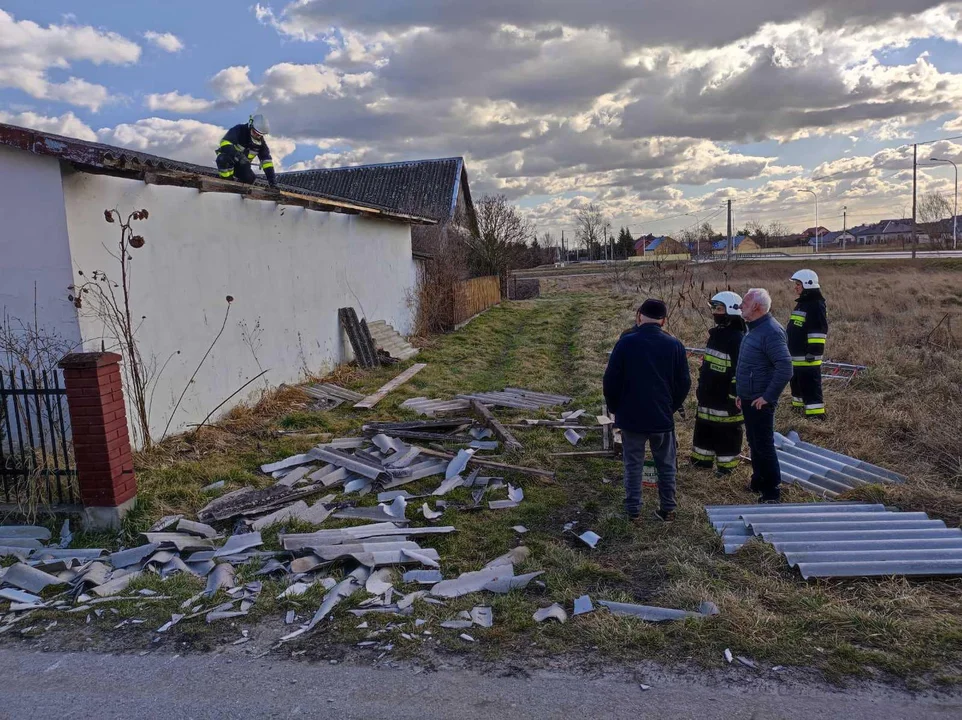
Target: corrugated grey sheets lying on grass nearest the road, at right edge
column 844, row 539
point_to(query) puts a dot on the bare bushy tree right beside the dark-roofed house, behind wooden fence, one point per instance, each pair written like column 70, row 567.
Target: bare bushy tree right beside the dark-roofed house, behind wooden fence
column 504, row 232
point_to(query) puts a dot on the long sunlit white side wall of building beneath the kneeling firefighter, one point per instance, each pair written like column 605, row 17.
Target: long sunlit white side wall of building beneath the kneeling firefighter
column 288, row 269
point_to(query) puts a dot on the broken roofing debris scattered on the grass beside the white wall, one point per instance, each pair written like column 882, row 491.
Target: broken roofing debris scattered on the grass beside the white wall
column 226, row 535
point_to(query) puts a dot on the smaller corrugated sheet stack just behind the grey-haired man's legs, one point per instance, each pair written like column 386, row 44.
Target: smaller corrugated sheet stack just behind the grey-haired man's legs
column 826, row 472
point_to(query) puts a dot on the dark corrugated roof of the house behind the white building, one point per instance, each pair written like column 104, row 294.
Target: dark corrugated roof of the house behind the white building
column 428, row 188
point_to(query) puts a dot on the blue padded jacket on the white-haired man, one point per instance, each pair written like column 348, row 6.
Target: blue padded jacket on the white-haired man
column 764, row 363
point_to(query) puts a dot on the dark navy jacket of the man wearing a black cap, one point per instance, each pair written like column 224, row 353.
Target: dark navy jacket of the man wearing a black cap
column 647, row 380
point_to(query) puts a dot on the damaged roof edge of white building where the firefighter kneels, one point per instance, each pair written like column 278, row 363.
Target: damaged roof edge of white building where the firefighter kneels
column 87, row 156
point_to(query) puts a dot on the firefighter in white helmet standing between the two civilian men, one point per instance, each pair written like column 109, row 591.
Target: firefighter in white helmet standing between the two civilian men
column 718, row 425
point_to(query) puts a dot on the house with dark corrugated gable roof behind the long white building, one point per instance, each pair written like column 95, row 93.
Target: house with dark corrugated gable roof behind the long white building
column 437, row 189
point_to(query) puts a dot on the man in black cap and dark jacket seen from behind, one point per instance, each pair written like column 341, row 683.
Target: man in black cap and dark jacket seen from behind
column 645, row 383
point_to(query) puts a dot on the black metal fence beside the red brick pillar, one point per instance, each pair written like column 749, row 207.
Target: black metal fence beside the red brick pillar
column 36, row 456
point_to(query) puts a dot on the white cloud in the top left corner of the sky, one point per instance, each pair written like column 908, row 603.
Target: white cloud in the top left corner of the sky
column 28, row 51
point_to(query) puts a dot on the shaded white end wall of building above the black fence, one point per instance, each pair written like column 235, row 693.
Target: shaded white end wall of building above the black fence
column 34, row 252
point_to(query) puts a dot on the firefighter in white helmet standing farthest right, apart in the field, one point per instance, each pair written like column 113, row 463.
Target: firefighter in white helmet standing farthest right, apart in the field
column 807, row 331
